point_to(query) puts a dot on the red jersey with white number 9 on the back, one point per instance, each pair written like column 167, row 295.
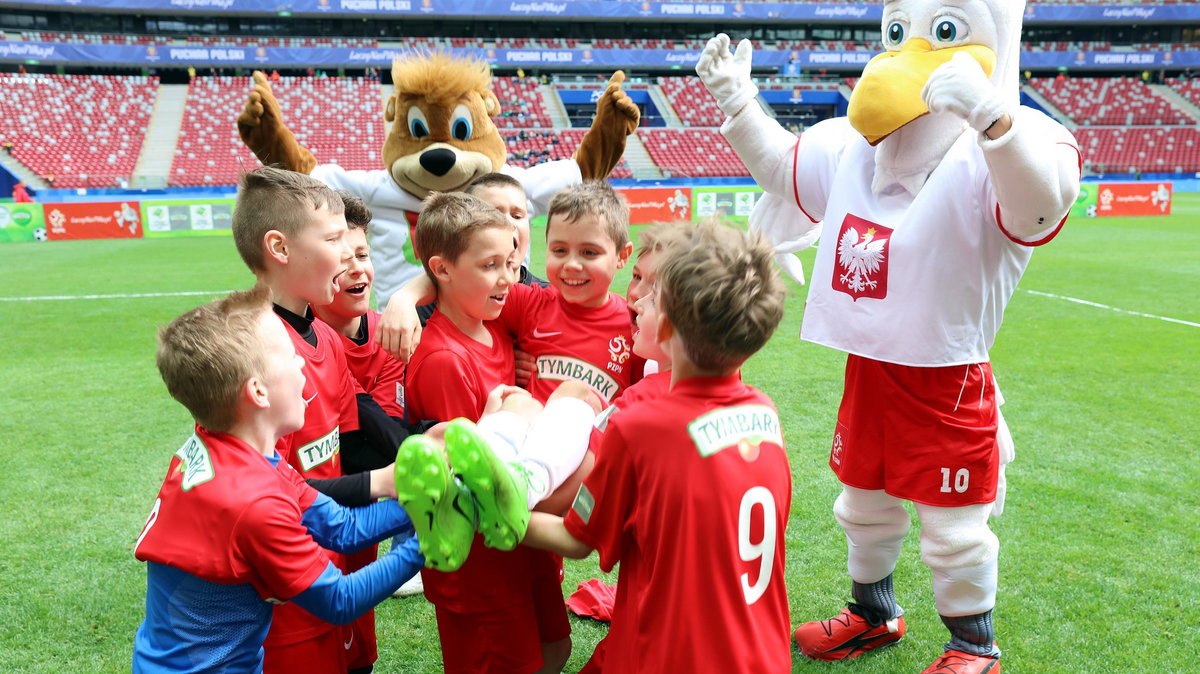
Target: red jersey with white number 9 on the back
column 691, row 494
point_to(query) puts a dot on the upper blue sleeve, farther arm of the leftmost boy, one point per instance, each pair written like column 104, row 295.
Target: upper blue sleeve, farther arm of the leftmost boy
column 351, row 529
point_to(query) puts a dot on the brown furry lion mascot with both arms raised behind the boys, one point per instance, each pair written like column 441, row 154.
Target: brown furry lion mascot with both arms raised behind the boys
column 441, row 139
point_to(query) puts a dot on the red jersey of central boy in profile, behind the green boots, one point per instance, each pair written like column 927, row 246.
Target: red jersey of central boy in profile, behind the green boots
column 449, row 377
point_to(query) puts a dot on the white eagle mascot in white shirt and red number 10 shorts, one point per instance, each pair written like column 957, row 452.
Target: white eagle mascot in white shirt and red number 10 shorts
column 933, row 194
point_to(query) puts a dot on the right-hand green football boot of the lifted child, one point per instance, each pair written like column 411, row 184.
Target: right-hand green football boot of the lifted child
column 500, row 489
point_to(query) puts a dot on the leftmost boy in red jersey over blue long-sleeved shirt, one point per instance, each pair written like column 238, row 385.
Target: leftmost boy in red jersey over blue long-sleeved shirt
column 236, row 529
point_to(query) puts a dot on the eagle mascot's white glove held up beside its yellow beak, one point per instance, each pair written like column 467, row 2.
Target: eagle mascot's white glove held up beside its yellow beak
column 962, row 88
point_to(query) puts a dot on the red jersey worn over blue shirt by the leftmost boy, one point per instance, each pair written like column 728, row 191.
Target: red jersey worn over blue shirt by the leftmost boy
column 226, row 515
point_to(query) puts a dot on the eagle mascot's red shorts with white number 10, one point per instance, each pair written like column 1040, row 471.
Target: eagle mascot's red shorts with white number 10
column 926, row 435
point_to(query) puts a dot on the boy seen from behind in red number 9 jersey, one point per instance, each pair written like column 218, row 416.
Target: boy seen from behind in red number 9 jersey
column 691, row 492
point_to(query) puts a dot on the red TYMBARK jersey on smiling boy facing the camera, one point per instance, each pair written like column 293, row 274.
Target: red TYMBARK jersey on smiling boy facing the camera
column 572, row 342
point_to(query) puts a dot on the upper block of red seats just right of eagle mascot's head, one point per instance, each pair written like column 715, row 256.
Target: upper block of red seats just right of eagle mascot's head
column 1109, row 101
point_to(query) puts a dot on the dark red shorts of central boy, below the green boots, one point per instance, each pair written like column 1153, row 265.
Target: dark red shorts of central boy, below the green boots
column 499, row 642
